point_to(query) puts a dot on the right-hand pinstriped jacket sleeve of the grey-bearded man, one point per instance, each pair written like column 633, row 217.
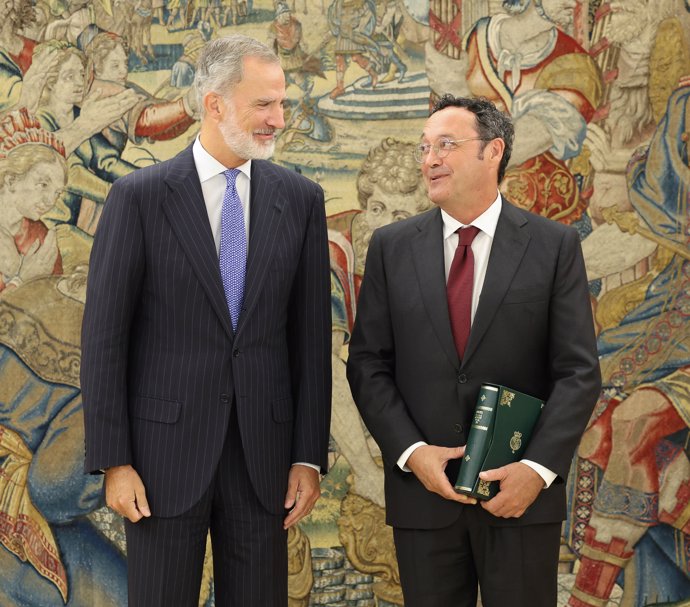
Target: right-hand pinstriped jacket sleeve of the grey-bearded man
column 309, row 334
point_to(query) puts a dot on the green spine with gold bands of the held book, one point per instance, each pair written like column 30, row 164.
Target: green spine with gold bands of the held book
column 479, row 438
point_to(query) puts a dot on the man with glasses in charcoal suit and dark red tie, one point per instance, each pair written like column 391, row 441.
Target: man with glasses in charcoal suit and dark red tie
column 474, row 291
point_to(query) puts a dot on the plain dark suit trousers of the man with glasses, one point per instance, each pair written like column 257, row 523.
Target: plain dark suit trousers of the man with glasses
column 515, row 565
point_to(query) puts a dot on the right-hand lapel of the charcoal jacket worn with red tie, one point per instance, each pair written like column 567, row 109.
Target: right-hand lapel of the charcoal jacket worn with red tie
column 507, row 251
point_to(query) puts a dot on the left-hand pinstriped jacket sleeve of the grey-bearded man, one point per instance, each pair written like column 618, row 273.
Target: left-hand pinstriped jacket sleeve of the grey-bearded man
column 116, row 269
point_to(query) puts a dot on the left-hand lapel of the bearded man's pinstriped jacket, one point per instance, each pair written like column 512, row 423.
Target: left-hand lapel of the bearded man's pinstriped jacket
column 186, row 211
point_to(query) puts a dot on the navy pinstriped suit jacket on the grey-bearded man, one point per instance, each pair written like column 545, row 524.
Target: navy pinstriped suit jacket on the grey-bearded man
column 161, row 364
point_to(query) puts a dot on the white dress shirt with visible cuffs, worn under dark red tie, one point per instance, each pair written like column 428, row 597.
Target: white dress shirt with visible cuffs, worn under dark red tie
column 481, row 249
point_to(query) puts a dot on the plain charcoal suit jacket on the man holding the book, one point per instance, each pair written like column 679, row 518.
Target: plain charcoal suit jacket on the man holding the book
column 532, row 331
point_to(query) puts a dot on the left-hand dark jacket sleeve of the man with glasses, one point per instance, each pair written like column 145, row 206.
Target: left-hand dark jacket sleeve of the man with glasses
column 371, row 363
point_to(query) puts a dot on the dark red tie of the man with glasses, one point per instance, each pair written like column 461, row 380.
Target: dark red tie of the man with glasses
column 459, row 288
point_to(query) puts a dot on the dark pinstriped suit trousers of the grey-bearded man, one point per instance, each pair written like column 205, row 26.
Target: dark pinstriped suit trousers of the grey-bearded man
column 165, row 556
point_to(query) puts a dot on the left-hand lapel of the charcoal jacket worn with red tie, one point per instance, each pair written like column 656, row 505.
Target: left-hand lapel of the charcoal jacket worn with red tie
column 427, row 253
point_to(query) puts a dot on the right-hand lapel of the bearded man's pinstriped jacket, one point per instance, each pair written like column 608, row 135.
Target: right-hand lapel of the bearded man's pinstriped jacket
column 266, row 215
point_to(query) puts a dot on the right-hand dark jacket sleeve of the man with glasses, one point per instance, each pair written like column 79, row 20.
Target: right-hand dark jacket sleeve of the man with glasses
column 573, row 363
